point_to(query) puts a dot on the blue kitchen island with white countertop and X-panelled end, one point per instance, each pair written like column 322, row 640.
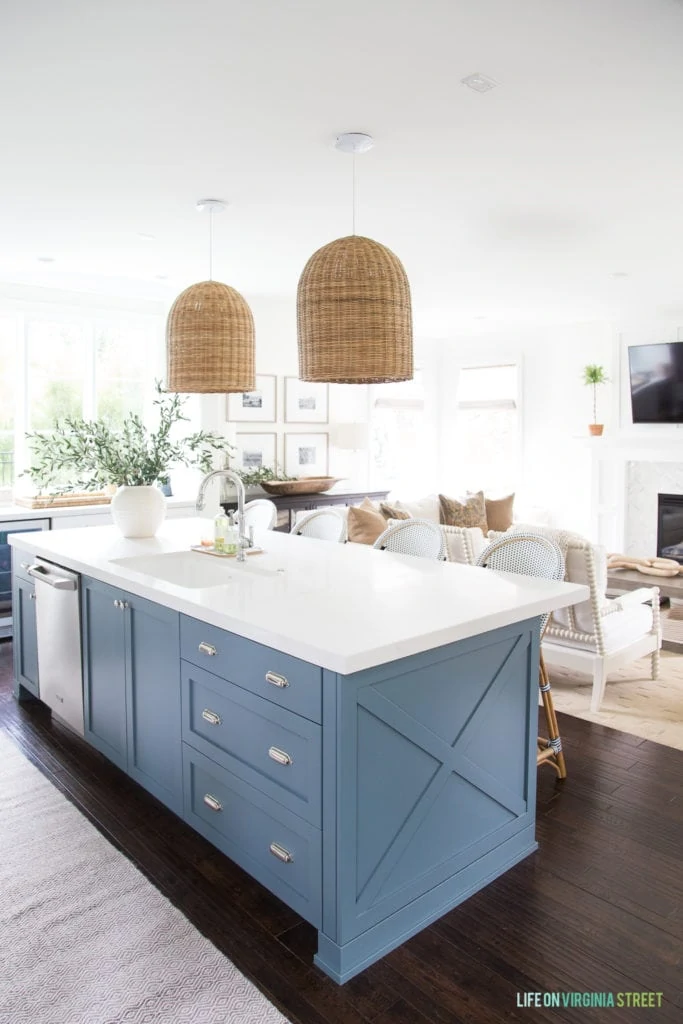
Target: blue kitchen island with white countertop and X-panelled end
column 357, row 730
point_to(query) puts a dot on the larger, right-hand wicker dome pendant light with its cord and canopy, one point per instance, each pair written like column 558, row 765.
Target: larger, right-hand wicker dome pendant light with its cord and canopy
column 354, row 308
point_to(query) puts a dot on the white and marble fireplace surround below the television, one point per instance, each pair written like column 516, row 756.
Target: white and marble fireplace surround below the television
column 628, row 475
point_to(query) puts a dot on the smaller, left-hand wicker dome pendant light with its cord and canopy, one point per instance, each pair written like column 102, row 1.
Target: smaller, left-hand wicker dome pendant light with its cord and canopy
column 210, row 335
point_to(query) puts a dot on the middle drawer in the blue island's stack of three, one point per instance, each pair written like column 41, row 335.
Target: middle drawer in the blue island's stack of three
column 269, row 747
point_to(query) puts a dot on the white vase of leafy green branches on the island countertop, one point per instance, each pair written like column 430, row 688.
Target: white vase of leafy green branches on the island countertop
column 134, row 459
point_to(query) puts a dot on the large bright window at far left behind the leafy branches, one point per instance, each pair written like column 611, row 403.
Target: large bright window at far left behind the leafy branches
column 56, row 365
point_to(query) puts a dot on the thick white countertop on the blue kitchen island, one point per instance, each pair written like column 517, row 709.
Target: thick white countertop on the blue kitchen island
column 346, row 608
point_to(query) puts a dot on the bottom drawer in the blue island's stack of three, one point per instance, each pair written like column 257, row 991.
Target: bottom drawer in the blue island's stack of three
column 279, row 849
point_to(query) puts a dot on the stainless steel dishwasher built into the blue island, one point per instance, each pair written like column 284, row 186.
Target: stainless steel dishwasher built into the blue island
column 59, row 627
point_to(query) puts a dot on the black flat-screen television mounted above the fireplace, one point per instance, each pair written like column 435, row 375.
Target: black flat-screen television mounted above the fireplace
column 657, row 382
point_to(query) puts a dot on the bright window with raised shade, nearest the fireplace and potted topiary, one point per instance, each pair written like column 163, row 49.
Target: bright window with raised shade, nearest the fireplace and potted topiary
column 488, row 429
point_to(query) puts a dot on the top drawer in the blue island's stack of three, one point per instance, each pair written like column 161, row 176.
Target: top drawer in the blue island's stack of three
column 280, row 678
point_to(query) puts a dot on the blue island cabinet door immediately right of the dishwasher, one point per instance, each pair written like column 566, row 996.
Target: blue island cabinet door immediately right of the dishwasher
column 105, row 669
